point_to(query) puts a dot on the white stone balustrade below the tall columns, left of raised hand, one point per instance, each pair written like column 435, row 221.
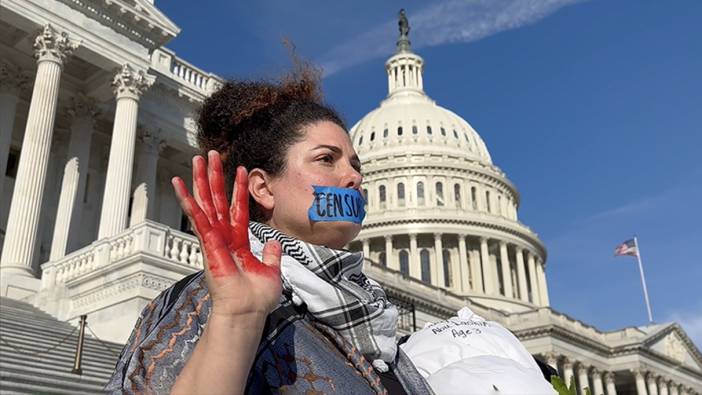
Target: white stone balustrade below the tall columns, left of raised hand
column 148, row 238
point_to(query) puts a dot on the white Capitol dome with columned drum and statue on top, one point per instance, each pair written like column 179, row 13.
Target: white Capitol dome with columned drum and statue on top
column 439, row 211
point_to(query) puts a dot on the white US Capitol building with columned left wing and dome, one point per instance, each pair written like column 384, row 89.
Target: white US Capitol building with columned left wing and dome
column 97, row 115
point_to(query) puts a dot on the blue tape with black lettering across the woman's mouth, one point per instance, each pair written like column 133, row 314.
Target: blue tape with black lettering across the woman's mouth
column 337, row 204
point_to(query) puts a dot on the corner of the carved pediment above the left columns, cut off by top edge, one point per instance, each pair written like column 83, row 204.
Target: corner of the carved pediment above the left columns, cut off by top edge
column 139, row 20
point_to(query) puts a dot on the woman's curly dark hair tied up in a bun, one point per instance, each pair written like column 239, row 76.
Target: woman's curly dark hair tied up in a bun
column 253, row 123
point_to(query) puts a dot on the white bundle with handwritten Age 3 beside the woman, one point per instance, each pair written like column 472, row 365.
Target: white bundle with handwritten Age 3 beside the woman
column 468, row 355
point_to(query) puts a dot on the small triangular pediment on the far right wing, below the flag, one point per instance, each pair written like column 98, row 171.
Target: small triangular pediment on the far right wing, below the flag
column 672, row 342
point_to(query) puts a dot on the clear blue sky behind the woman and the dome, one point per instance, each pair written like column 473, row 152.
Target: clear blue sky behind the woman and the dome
column 592, row 108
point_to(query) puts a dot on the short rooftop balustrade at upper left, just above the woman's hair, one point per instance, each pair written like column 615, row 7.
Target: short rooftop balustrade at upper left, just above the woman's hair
column 179, row 70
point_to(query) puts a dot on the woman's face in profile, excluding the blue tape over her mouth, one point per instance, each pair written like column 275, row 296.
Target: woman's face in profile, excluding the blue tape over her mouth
column 324, row 157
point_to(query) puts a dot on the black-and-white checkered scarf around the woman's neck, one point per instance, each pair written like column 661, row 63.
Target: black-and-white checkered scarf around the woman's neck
column 336, row 292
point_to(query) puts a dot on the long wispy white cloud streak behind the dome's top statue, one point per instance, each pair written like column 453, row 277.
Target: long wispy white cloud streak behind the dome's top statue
column 442, row 22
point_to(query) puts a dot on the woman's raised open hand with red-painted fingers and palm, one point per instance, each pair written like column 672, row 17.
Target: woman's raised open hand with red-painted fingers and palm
column 239, row 283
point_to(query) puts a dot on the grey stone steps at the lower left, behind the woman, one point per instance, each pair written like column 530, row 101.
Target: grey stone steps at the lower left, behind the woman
column 37, row 353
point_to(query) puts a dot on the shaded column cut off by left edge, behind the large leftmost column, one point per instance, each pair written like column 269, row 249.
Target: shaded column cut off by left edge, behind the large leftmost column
column 12, row 81
